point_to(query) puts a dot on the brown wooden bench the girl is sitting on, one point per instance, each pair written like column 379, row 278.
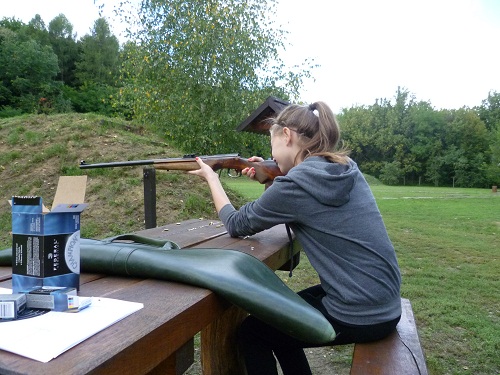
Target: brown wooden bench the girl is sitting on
column 398, row 354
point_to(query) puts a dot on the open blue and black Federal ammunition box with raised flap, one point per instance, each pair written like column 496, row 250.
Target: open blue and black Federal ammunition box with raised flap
column 46, row 243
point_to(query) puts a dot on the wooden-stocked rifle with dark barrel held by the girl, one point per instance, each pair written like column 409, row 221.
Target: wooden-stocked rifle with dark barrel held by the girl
column 265, row 171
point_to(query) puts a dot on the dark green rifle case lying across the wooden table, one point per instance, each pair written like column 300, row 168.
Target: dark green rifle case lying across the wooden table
column 239, row 277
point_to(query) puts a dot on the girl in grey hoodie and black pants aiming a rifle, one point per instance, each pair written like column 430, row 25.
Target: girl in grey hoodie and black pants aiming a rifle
column 329, row 206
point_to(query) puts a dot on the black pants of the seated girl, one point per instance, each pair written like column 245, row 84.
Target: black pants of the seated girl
column 260, row 343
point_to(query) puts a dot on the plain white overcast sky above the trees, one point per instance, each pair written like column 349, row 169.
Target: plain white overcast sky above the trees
column 442, row 51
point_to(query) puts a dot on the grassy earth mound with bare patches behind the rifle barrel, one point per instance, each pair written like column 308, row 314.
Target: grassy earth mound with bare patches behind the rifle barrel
column 36, row 150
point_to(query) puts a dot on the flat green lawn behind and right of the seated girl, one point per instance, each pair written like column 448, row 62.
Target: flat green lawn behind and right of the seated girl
column 448, row 247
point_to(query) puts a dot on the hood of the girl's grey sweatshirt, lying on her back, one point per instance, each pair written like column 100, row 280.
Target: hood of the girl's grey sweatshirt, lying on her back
column 330, row 183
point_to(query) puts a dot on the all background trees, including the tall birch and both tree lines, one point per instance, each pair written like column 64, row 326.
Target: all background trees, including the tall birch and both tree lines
column 191, row 73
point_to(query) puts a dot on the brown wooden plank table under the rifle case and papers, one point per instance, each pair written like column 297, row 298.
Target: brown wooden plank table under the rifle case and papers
column 159, row 338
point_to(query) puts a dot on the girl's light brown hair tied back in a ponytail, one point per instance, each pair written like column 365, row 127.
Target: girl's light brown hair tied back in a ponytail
column 318, row 130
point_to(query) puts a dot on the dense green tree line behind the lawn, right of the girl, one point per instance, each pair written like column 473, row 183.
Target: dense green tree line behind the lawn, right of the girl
column 406, row 141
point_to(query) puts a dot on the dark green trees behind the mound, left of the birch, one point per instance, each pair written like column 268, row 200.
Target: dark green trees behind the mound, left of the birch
column 45, row 69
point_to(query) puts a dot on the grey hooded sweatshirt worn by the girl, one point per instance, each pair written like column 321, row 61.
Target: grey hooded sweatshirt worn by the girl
column 334, row 216
